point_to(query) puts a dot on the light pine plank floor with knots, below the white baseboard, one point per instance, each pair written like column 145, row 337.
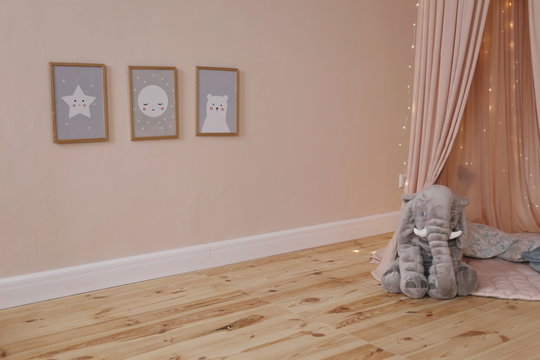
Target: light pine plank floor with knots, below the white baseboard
column 314, row 304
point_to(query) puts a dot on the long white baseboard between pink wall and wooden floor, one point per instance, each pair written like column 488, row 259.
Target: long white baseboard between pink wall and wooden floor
column 30, row 288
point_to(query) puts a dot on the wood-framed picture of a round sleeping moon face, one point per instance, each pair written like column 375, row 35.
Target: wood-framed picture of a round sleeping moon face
column 153, row 102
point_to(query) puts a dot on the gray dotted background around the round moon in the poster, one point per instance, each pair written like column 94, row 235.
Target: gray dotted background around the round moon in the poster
column 146, row 126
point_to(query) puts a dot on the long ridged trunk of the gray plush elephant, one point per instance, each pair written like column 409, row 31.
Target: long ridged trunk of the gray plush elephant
column 442, row 279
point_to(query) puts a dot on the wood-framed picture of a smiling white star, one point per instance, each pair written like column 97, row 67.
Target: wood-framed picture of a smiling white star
column 79, row 102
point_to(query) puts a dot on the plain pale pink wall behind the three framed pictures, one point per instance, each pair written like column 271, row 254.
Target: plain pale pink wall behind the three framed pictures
column 323, row 93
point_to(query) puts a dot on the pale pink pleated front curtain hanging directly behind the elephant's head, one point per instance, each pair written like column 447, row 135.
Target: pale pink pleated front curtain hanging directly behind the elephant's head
column 448, row 39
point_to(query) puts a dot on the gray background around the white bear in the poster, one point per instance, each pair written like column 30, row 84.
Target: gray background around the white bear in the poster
column 218, row 83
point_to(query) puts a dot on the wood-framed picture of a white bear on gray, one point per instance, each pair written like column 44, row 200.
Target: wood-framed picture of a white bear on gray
column 217, row 101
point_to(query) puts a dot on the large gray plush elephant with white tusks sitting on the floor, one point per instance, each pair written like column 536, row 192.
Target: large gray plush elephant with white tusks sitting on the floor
column 429, row 237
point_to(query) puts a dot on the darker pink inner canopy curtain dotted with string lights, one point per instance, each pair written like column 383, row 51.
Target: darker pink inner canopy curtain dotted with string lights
column 495, row 161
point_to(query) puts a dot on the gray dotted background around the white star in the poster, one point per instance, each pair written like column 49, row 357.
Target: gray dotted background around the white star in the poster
column 66, row 79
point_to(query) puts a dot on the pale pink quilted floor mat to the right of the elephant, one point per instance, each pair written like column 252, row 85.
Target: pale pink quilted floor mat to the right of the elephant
column 506, row 280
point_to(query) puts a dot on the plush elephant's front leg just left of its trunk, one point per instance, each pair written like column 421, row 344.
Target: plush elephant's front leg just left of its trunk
column 413, row 282
